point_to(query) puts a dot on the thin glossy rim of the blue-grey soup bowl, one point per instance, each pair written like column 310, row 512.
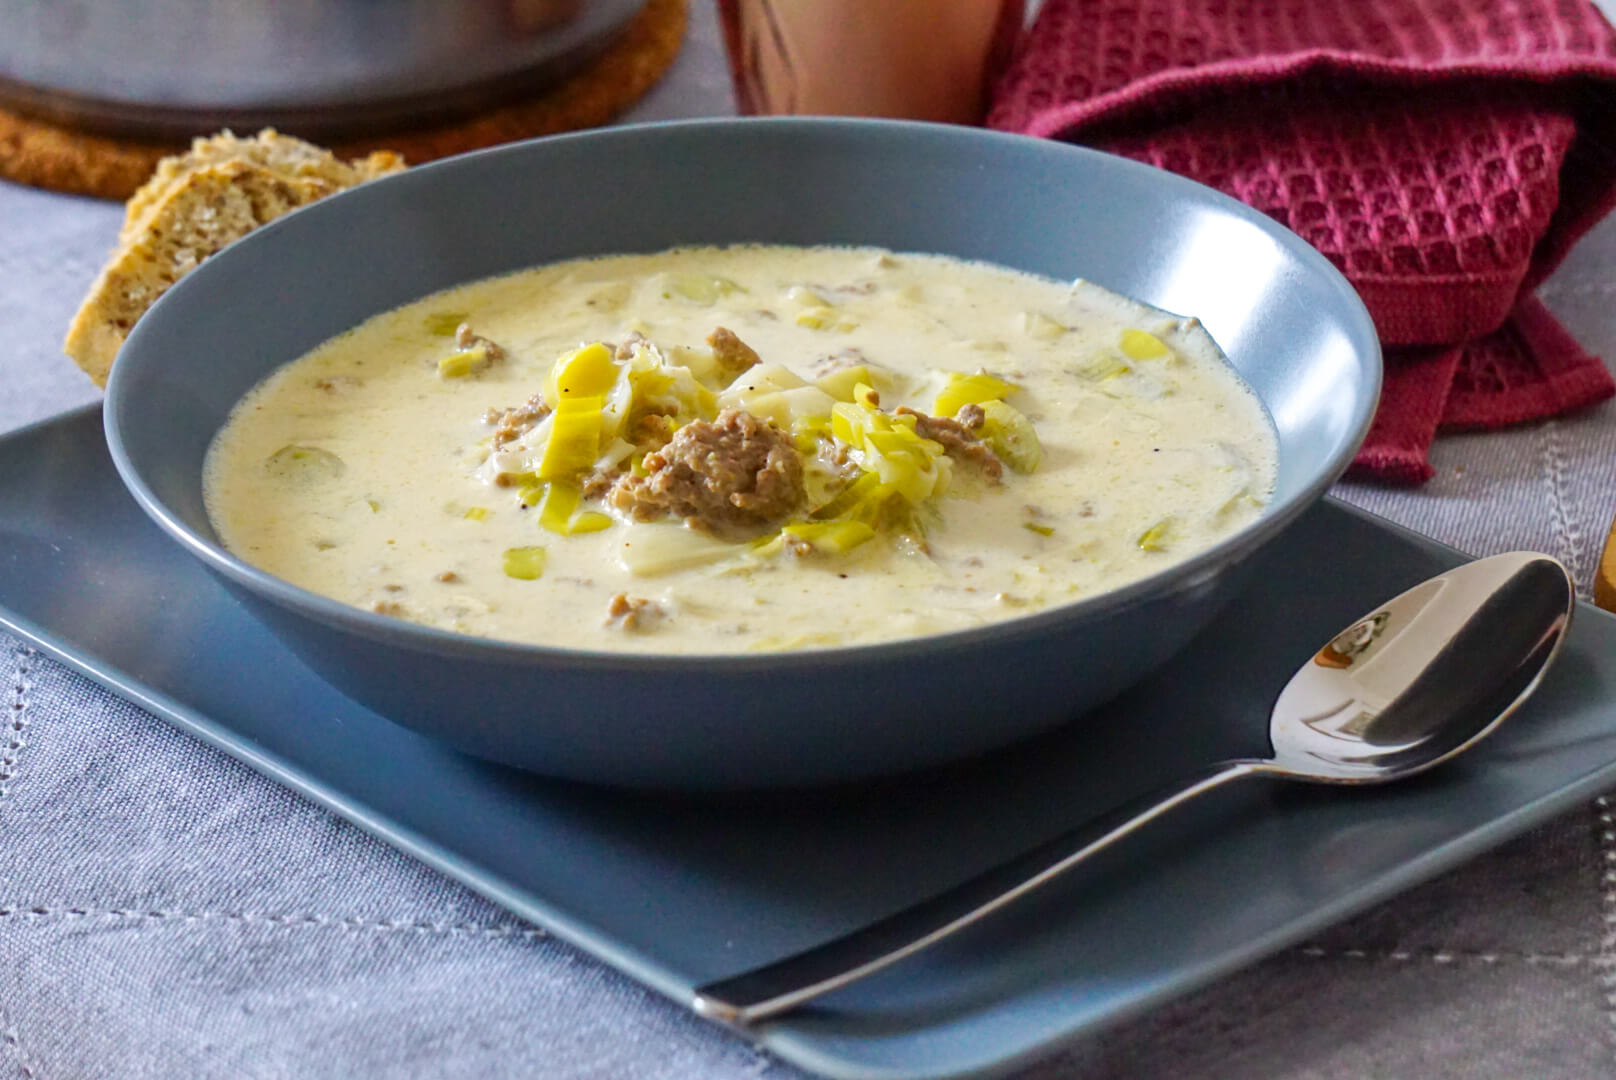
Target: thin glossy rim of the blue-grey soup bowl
column 343, row 617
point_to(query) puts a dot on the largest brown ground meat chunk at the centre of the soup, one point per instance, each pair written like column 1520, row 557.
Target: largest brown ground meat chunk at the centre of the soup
column 726, row 476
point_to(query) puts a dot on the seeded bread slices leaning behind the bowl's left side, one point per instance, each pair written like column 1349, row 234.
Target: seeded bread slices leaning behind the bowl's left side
column 193, row 208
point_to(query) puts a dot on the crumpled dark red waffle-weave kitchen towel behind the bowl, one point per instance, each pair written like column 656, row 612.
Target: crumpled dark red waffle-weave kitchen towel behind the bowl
column 1444, row 154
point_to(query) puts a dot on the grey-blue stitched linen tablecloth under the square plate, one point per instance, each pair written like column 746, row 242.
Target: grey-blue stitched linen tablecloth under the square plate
column 166, row 913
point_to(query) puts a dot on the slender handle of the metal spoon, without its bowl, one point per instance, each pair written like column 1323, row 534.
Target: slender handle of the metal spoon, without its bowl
column 783, row 985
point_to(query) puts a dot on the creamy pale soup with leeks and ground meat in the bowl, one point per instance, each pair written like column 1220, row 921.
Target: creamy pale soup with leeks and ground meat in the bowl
column 743, row 449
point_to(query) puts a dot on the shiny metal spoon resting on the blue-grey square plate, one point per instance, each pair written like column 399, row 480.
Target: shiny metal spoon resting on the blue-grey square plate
column 1408, row 686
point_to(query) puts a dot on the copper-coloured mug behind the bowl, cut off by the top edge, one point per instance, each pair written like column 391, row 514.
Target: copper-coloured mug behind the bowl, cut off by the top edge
column 914, row 59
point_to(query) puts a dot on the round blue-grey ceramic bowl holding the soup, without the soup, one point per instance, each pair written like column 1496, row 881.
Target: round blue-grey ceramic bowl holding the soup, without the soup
column 1289, row 323
